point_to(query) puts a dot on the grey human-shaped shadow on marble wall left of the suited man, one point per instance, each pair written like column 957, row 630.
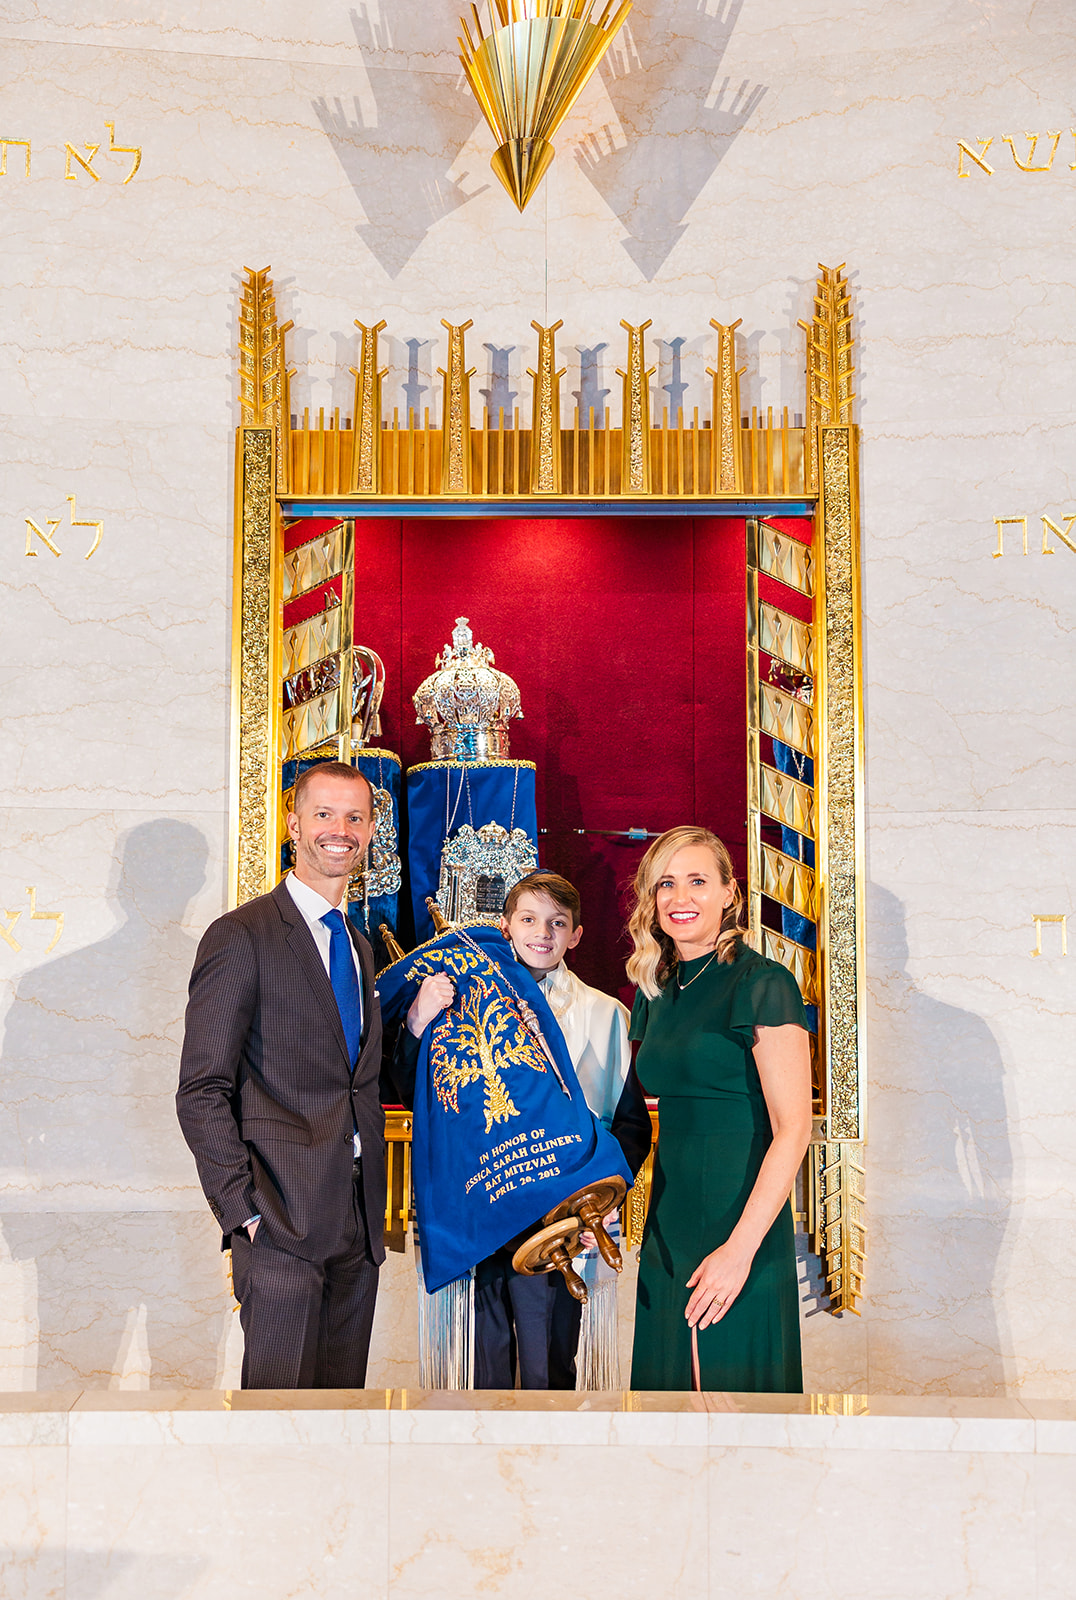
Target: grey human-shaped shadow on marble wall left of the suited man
column 129, row 1281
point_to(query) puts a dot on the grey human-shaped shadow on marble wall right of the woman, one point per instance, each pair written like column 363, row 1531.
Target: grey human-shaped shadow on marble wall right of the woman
column 939, row 1182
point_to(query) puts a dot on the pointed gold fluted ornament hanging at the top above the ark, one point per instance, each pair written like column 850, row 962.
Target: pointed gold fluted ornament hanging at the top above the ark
column 528, row 73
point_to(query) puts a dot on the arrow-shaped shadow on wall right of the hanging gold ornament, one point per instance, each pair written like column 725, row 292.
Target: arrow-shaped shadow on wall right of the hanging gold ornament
column 677, row 118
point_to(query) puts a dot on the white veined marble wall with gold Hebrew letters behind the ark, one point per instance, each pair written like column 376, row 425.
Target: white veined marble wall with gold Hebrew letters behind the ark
column 728, row 153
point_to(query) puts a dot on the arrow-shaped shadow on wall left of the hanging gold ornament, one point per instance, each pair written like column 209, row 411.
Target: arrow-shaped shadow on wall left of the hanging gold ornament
column 399, row 154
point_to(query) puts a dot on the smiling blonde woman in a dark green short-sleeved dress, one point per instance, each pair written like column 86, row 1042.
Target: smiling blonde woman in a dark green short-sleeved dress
column 725, row 1047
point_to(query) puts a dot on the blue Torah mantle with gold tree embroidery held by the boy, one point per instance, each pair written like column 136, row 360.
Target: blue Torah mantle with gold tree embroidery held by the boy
column 502, row 1130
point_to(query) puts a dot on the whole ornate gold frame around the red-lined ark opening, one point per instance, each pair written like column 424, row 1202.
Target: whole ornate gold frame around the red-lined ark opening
column 760, row 468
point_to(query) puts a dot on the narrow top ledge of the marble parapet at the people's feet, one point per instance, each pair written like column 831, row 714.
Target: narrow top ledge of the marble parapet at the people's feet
column 521, row 1420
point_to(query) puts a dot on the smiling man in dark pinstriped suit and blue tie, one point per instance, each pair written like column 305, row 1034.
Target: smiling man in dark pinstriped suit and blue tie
column 279, row 1100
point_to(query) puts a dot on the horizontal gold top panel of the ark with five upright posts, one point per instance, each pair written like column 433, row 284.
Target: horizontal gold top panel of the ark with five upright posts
column 502, row 457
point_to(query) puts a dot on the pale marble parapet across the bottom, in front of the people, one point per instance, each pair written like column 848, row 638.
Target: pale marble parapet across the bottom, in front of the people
column 406, row 1494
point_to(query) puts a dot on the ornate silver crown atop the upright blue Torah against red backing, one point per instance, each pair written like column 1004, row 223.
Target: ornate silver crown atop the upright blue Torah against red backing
column 467, row 703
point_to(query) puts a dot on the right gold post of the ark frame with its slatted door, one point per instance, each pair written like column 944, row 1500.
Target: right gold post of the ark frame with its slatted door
column 813, row 703
